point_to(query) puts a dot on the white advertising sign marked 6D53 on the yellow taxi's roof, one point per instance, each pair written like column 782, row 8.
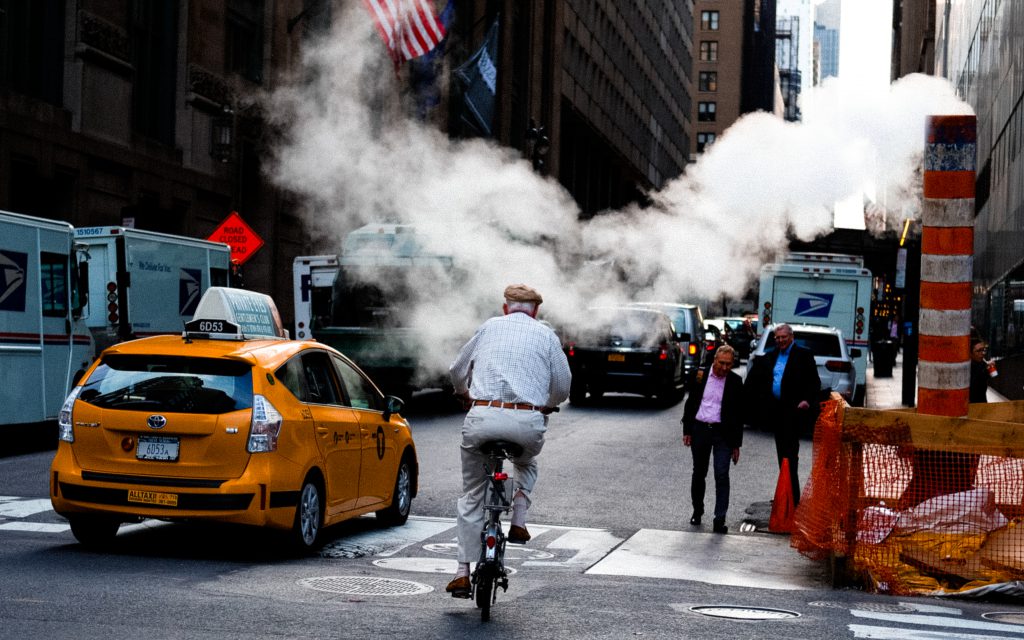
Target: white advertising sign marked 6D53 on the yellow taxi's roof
column 227, row 314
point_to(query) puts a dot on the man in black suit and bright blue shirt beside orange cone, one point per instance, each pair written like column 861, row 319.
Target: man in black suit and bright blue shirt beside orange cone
column 787, row 389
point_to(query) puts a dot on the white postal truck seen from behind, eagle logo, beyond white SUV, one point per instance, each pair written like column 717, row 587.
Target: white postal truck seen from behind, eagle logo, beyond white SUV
column 826, row 289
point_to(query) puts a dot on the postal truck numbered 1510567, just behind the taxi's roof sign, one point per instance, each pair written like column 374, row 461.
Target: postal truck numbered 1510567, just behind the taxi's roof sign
column 146, row 283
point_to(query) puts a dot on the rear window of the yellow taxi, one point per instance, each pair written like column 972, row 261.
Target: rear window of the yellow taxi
column 172, row 385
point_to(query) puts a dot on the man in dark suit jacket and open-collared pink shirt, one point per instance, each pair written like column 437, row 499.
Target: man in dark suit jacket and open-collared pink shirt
column 713, row 426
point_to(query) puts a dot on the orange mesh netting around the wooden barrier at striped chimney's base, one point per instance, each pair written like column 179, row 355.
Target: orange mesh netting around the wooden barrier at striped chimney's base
column 909, row 520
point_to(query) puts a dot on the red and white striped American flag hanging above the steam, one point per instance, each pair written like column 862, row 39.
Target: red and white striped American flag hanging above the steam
column 410, row 28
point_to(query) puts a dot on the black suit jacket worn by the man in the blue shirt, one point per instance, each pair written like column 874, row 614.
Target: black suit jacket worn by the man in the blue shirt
column 800, row 382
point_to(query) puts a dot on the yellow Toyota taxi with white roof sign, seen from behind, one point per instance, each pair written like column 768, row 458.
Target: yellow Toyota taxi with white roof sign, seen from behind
column 231, row 422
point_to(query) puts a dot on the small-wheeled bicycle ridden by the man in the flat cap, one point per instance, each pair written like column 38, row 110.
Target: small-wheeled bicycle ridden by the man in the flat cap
column 491, row 573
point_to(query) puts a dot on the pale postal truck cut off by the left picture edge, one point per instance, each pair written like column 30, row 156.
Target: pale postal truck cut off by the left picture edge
column 46, row 346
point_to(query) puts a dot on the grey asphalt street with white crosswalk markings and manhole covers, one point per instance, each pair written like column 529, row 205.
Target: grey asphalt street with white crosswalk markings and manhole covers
column 613, row 557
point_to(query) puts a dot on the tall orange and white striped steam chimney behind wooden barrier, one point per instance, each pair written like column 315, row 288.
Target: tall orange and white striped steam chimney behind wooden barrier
column 947, row 267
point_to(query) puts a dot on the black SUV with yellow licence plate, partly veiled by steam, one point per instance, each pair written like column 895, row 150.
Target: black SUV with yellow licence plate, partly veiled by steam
column 625, row 350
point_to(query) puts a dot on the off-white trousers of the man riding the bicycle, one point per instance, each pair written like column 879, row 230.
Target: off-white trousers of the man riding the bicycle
column 527, row 430
